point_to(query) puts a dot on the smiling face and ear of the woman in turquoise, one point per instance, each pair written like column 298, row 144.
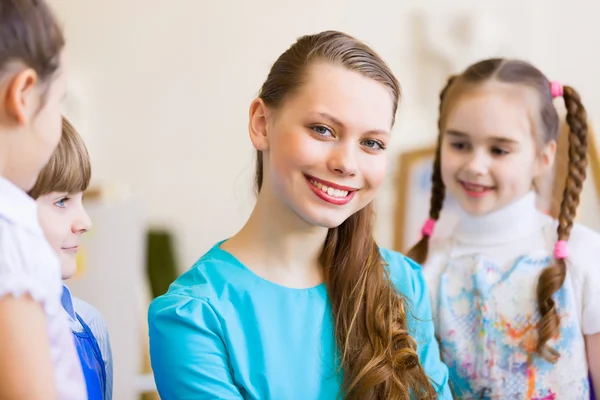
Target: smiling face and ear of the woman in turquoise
column 324, row 152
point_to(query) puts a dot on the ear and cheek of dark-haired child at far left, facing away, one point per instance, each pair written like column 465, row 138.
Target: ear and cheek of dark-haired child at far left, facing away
column 35, row 111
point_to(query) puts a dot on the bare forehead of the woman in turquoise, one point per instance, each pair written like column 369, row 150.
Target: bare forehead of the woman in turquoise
column 356, row 100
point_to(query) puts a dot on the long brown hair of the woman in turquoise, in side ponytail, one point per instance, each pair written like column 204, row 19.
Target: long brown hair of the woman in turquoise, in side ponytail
column 378, row 356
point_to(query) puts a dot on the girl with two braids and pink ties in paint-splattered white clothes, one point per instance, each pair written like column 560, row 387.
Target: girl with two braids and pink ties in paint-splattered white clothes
column 515, row 293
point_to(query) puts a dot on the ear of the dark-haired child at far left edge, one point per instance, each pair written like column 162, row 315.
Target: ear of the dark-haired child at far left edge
column 20, row 99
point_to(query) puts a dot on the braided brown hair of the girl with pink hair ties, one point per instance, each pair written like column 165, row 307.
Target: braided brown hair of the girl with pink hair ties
column 546, row 126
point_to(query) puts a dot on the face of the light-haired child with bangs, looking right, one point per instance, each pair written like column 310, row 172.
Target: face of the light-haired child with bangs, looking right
column 64, row 219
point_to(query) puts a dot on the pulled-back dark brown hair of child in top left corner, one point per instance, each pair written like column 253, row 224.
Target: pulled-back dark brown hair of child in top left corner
column 29, row 34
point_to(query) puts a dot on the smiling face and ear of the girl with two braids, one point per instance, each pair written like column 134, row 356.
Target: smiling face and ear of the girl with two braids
column 490, row 154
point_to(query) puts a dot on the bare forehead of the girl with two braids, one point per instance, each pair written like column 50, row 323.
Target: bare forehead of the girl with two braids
column 497, row 110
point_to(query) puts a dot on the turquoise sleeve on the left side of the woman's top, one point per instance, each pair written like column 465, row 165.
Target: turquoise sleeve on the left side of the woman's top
column 188, row 355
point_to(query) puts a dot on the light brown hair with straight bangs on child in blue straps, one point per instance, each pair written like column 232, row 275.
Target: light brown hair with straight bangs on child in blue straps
column 69, row 169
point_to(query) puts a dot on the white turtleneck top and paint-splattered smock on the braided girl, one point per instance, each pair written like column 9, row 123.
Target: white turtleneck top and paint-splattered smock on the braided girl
column 483, row 278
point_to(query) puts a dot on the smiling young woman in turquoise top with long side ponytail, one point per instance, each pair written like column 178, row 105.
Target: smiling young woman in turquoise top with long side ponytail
column 301, row 303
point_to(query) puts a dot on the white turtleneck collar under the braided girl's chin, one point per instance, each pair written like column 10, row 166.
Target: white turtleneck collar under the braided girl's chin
column 517, row 220
